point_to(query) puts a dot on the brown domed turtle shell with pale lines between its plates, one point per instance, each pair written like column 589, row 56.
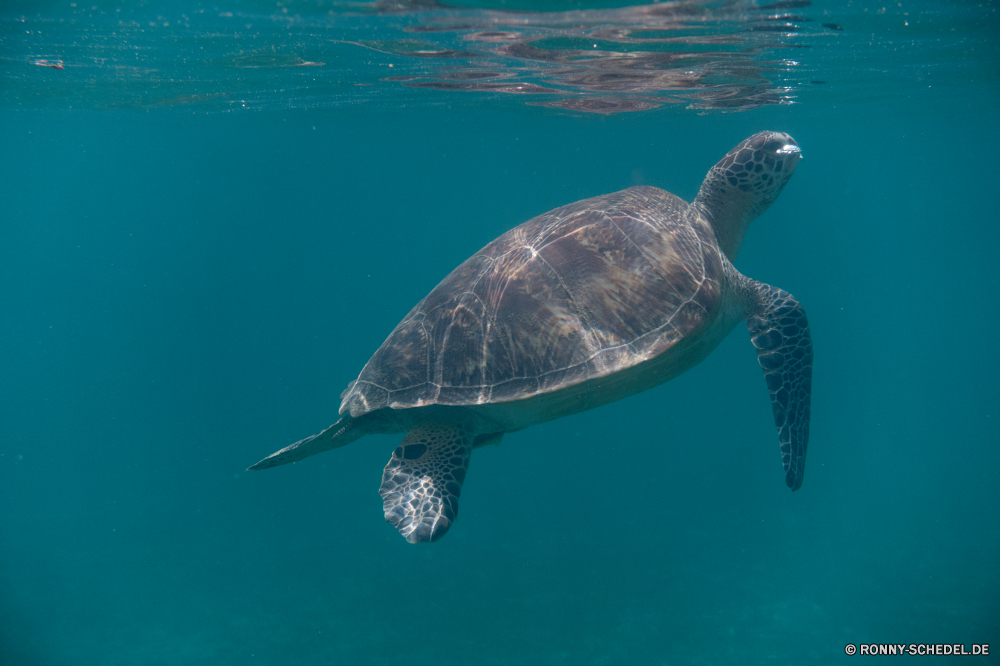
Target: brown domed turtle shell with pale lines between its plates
column 577, row 293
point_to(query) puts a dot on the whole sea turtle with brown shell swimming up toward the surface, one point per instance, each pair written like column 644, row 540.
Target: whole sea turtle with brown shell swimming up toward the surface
column 576, row 308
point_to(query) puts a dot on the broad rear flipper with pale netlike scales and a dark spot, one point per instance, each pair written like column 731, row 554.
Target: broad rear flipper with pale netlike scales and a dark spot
column 422, row 482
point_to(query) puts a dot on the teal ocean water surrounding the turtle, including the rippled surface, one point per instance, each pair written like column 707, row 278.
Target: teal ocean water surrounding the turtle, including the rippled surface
column 214, row 213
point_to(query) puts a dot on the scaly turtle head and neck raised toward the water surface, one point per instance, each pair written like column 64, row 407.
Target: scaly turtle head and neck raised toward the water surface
column 744, row 184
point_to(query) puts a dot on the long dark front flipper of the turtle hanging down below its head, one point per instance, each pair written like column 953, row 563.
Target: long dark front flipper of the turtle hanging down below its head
column 780, row 332
